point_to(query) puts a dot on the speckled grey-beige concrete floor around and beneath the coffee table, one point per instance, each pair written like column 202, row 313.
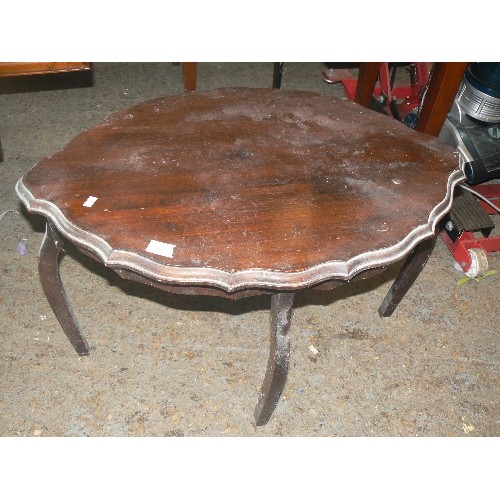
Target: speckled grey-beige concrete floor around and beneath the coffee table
column 165, row 365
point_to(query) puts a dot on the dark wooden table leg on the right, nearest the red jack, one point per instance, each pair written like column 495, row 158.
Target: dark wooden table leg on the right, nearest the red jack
column 407, row 276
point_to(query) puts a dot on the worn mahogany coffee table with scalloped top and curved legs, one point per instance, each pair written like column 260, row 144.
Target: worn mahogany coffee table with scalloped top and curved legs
column 240, row 192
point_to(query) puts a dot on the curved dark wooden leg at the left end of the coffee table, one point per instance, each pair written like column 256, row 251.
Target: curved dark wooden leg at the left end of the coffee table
column 48, row 269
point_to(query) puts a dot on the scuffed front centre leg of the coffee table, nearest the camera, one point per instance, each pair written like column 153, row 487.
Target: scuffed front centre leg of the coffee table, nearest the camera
column 277, row 366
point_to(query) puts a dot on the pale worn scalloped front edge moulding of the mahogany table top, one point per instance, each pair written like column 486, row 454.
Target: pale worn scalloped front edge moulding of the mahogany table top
column 238, row 280
